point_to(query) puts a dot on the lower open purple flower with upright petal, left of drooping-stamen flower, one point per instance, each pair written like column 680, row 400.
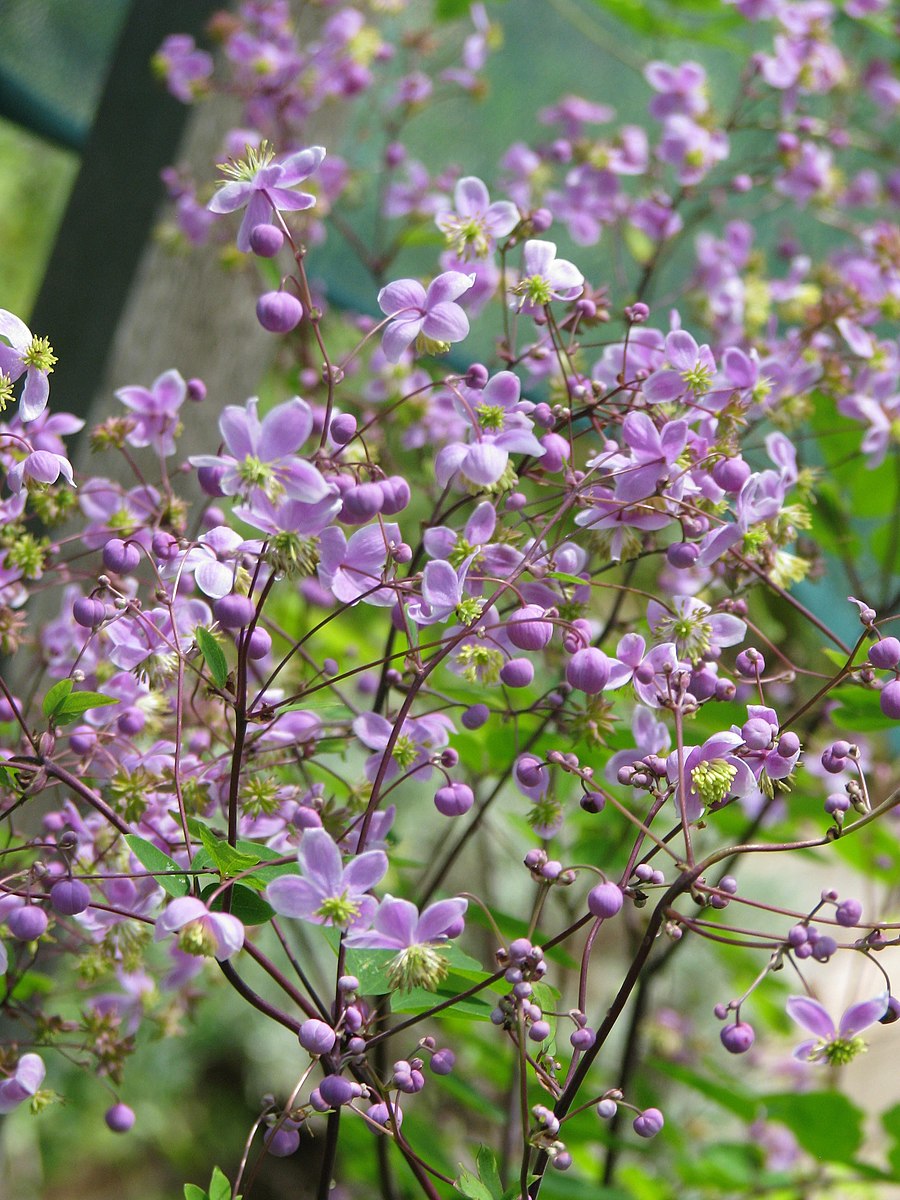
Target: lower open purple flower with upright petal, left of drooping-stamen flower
column 327, row 893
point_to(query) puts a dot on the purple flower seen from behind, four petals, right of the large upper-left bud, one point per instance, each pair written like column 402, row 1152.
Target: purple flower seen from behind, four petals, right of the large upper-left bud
column 430, row 319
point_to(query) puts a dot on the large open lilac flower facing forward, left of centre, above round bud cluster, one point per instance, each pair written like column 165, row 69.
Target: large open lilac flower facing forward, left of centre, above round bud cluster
column 262, row 455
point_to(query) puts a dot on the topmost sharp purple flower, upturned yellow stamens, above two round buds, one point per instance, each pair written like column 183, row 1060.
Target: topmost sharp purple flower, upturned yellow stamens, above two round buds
column 262, row 187
